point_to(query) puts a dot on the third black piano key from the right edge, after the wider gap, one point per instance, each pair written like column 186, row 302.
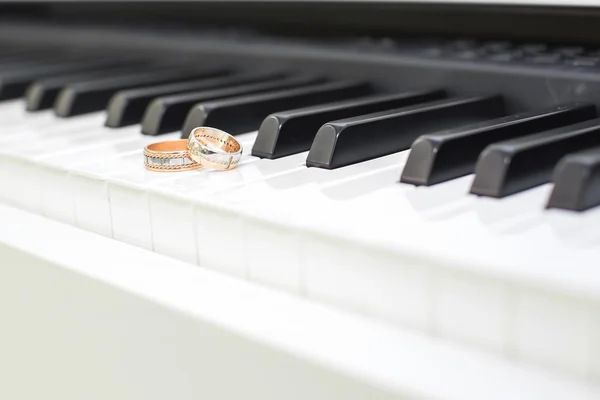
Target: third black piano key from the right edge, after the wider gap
column 441, row 156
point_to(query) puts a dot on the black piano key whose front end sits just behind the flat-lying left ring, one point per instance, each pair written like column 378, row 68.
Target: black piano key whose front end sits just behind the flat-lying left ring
column 167, row 114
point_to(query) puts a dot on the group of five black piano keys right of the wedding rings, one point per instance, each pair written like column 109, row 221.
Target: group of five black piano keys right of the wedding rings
column 451, row 138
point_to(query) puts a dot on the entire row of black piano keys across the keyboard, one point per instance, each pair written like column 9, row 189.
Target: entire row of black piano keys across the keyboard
column 368, row 125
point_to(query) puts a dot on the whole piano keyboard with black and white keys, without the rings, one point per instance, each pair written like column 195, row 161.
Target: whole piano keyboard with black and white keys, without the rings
column 447, row 187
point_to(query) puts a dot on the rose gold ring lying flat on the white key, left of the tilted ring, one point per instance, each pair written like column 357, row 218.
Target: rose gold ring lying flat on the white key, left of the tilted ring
column 169, row 156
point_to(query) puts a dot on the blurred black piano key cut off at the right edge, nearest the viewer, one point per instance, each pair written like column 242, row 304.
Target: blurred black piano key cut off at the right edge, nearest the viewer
column 577, row 181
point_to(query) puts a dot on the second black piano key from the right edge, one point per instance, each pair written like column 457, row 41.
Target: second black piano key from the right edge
column 511, row 166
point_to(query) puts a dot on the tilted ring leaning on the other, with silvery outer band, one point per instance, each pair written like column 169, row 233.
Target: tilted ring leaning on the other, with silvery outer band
column 214, row 148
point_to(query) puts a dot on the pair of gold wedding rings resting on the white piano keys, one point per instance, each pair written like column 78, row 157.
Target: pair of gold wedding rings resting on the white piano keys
column 205, row 147
